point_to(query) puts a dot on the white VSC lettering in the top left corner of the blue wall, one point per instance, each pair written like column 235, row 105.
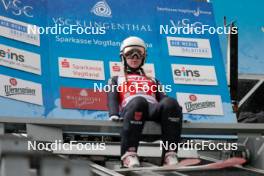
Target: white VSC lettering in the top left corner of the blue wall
column 17, row 8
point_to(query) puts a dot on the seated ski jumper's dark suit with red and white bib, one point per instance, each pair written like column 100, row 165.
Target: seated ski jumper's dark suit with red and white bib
column 137, row 106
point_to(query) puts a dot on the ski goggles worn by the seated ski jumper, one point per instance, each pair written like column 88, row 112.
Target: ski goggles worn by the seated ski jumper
column 131, row 51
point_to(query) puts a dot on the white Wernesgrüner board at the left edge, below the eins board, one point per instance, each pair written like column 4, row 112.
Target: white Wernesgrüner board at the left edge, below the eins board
column 22, row 90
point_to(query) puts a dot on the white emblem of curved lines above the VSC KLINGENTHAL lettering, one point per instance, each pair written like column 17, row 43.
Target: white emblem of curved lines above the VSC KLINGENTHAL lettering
column 102, row 9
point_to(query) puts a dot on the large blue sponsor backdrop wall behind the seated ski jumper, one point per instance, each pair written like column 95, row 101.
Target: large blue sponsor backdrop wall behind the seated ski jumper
column 66, row 66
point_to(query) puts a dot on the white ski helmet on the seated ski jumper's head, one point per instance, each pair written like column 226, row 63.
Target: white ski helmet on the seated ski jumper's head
column 132, row 42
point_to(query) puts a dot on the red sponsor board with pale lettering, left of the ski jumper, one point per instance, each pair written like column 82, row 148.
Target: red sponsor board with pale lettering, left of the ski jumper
column 77, row 98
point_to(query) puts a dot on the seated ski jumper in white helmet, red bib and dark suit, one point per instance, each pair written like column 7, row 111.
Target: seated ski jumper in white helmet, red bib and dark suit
column 135, row 98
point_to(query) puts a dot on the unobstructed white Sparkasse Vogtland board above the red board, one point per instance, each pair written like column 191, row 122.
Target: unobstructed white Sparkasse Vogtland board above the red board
column 80, row 68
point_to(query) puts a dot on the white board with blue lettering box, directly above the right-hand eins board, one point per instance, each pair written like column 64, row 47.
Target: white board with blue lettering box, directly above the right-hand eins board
column 189, row 47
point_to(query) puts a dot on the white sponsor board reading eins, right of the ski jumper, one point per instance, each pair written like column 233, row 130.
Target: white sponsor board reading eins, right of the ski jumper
column 194, row 74
